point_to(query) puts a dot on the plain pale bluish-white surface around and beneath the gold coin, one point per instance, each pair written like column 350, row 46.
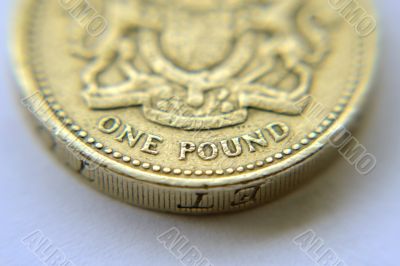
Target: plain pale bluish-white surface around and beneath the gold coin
column 356, row 216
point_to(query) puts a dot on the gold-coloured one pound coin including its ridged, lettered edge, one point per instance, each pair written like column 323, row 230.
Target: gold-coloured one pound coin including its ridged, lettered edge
column 194, row 106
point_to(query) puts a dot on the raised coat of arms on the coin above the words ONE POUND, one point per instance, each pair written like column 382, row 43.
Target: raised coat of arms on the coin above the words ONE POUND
column 200, row 65
